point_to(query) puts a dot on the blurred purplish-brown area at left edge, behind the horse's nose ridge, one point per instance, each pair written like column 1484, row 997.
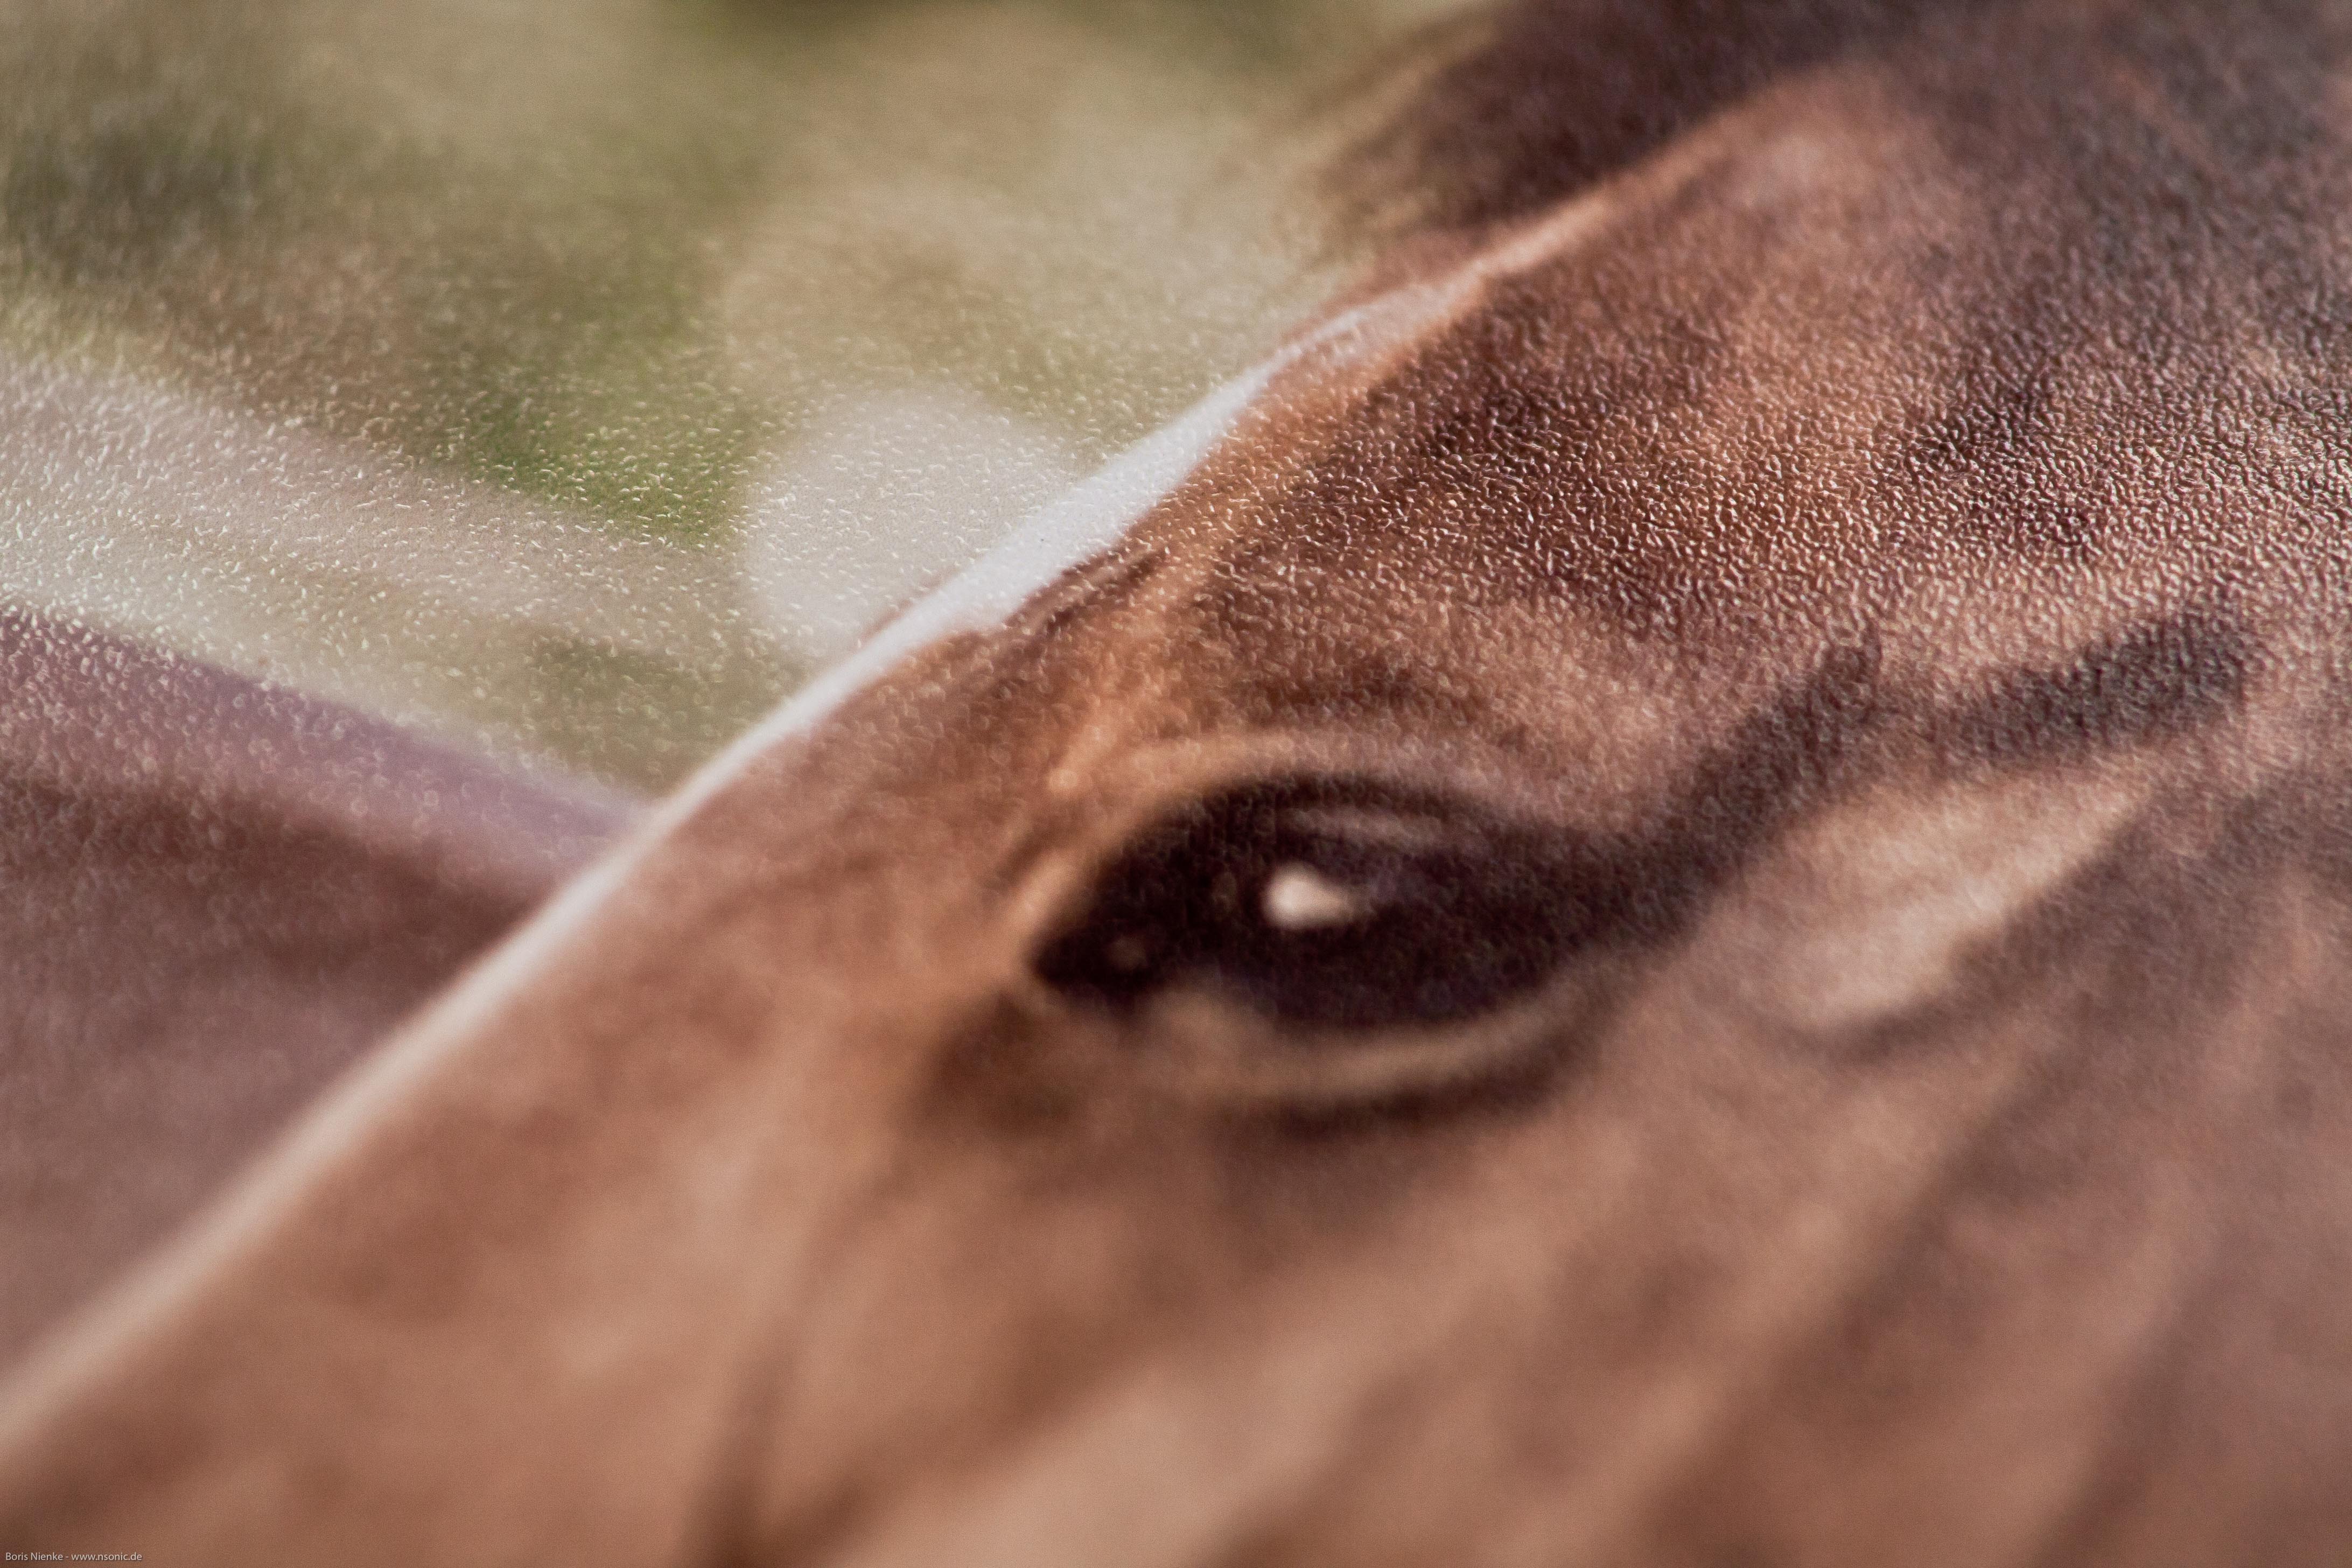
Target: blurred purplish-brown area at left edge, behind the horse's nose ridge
column 213, row 897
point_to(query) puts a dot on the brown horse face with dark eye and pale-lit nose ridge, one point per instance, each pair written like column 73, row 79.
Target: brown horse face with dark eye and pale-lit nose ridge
column 1685, row 906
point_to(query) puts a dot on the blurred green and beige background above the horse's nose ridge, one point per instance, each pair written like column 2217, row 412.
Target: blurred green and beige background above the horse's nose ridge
column 577, row 377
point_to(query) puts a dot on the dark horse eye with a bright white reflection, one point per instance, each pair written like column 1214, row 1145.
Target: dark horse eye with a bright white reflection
column 1332, row 909
